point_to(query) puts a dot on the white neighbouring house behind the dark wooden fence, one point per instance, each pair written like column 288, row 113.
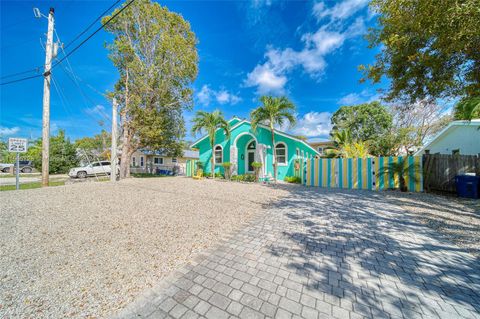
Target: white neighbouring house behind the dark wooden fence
column 459, row 137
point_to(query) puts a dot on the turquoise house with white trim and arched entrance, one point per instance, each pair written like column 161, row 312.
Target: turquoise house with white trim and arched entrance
column 246, row 146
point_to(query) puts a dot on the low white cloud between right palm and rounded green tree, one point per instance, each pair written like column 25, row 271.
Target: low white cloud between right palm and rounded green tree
column 314, row 124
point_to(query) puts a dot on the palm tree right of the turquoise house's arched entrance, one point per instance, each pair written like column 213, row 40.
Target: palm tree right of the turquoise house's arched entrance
column 273, row 111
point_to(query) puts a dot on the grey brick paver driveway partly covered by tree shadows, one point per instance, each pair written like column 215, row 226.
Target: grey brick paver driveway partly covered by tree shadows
column 321, row 254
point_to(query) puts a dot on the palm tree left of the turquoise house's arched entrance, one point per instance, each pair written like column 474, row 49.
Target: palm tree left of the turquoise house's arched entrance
column 210, row 122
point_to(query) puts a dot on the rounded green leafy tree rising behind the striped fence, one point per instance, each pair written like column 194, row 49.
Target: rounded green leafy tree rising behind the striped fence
column 369, row 122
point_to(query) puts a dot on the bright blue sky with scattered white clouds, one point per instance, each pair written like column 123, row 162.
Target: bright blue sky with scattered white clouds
column 308, row 51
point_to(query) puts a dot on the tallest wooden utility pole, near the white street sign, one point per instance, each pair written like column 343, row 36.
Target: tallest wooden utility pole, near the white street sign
column 46, row 101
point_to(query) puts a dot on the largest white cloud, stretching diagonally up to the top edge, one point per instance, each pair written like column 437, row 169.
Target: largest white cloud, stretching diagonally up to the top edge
column 271, row 75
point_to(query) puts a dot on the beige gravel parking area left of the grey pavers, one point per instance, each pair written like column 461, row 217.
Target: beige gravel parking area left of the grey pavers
column 86, row 250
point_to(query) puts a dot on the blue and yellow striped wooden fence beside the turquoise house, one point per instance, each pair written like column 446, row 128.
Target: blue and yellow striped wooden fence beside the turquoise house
column 361, row 173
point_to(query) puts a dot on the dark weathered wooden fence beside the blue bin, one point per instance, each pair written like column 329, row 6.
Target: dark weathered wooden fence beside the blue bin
column 440, row 170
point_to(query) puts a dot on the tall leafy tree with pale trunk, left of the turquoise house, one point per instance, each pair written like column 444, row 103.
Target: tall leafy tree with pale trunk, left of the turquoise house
column 155, row 53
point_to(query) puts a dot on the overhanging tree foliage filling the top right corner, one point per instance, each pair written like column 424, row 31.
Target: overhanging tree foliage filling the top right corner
column 429, row 48
